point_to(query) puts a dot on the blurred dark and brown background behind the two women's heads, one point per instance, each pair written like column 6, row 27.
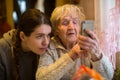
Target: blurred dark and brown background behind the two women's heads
column 14, row 8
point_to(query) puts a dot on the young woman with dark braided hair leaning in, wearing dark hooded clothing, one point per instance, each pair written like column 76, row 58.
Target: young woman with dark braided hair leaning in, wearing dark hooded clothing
column 30, row 39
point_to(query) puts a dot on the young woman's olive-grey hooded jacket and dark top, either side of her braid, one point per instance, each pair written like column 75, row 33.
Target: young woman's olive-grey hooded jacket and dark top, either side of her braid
column 27, row 61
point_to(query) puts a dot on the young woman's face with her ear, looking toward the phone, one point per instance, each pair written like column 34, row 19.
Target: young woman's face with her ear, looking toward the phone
column 38, row 41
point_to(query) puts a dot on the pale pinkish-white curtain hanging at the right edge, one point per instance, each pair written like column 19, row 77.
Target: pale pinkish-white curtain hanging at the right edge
column 107, row 26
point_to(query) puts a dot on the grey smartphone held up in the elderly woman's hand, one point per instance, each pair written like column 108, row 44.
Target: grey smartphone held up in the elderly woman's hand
column 88, row 25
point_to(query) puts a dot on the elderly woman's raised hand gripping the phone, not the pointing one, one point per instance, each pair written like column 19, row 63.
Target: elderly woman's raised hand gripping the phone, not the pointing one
column 91, row 45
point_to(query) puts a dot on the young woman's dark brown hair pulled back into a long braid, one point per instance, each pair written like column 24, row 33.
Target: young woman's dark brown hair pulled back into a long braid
column 29, row 20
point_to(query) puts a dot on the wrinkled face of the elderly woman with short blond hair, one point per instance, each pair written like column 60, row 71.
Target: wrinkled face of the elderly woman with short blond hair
column 69, row 28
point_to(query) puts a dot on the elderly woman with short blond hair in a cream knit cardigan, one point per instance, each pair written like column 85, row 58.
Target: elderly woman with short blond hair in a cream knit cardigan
column 68, row 49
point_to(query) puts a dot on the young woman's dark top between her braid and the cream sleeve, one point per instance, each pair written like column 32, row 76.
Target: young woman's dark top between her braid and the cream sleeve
column 27, row 66
